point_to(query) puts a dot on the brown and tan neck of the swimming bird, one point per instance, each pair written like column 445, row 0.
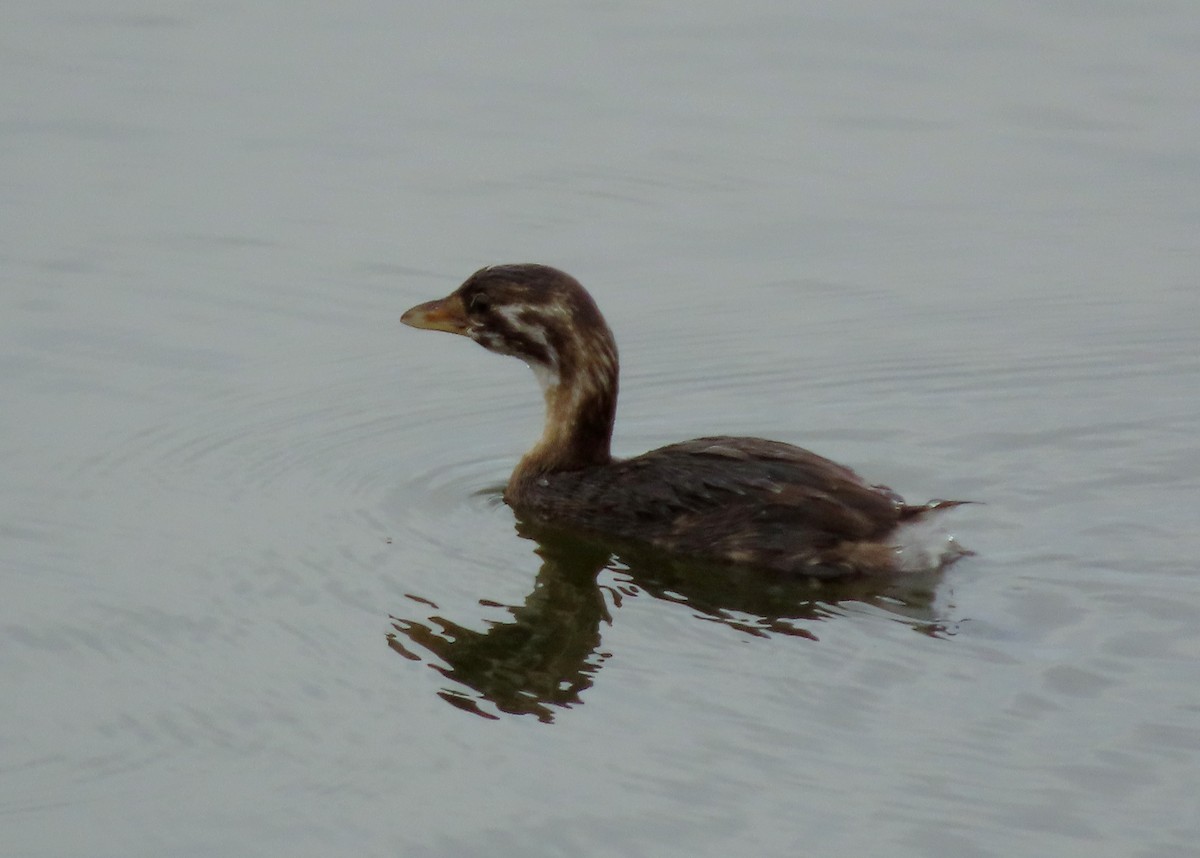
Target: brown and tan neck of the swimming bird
column 581, row 406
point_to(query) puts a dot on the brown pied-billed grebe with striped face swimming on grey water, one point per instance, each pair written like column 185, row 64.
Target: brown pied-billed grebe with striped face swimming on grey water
column 743, row 501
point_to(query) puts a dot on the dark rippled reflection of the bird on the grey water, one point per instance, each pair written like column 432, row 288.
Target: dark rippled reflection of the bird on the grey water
column 548, row 656
